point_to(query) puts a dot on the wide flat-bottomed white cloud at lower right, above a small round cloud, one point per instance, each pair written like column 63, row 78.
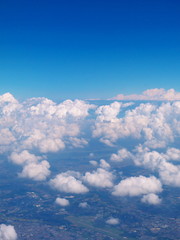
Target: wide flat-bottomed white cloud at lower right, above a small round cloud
column 135, row 186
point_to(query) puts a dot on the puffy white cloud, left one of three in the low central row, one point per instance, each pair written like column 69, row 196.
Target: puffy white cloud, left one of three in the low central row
column 64, row 182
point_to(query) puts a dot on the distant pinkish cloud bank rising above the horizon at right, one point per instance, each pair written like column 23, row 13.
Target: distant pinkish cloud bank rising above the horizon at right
column 158, row 94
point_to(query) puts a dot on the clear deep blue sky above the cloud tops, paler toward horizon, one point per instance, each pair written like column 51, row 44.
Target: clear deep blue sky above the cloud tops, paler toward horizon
column 88, row 49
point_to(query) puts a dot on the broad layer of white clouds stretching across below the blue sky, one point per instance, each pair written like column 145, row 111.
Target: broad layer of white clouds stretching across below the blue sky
column 32, row 129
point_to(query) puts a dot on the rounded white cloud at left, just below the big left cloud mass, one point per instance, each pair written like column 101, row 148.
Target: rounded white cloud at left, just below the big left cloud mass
column 36, row 171
